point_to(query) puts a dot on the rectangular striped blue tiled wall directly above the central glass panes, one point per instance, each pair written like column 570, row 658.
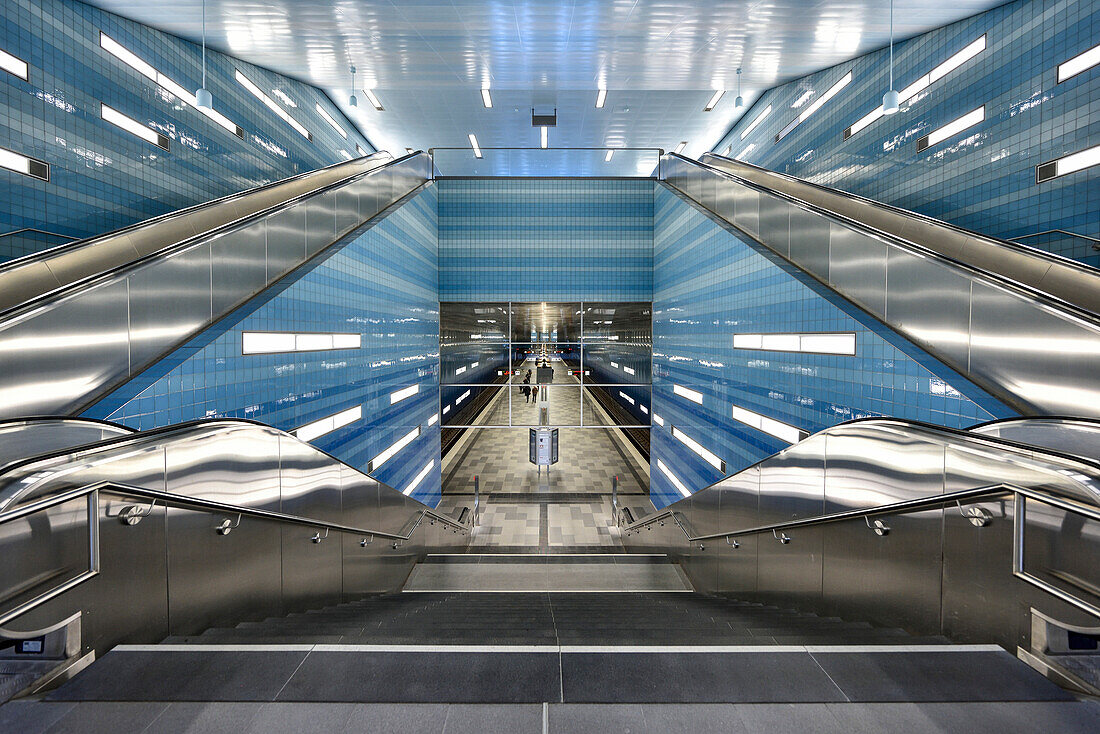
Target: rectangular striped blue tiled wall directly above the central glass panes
column 536, row 239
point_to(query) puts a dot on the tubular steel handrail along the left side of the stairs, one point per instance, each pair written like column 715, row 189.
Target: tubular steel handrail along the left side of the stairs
column 131, row 517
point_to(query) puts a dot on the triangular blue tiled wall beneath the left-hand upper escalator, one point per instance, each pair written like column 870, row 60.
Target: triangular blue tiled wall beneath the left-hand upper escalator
column 383, row 286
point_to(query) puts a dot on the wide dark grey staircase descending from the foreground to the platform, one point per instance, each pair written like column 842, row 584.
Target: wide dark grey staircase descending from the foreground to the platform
column 543, row 660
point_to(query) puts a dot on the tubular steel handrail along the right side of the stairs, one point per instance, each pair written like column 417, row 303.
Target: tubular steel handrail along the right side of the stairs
column 977, row 517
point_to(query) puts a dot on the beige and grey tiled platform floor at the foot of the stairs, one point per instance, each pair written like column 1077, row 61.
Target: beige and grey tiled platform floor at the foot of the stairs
column 564, row 510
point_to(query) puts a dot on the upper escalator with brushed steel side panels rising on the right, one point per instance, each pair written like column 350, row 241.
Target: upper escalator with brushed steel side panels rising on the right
column 1022, row 324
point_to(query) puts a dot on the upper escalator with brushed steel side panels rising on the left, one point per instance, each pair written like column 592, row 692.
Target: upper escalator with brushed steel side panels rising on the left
column 81, row 320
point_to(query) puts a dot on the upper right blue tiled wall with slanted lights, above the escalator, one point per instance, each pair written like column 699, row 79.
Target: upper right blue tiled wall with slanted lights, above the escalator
column 982, row 179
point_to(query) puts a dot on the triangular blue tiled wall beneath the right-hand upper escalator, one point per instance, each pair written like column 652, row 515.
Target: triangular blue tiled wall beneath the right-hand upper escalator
column 710, row 286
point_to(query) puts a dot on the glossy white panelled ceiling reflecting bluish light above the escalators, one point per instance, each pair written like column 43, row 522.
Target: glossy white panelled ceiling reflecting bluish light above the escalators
column 662, row 61
